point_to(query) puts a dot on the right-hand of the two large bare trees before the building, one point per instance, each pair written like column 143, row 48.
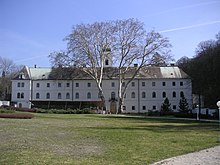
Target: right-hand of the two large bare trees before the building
column 135, row 45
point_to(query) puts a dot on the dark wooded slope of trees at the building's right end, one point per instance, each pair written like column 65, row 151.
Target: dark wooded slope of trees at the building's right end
column 204, row 69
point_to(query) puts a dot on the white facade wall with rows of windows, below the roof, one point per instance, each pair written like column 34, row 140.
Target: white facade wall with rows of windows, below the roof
column 86, row 90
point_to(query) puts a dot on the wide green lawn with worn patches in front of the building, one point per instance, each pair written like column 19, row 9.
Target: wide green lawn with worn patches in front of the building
column 100, row 139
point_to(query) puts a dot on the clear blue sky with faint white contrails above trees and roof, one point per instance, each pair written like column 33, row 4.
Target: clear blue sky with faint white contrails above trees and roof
column 31, row 29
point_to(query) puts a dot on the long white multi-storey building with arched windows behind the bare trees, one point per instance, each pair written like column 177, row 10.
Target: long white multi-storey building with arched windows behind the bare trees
column 73, row 88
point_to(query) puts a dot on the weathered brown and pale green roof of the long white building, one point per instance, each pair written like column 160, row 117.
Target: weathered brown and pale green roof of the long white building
column 147, row 72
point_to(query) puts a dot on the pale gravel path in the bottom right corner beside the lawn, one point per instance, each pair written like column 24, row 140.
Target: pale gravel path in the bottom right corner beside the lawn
column 209, row 156
